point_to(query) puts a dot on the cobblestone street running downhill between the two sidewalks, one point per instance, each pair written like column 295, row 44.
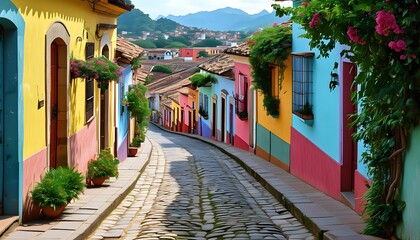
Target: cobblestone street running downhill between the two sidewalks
column 191, row 190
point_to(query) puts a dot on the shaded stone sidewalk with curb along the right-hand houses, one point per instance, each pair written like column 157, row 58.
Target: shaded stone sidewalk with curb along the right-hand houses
column 324, row 216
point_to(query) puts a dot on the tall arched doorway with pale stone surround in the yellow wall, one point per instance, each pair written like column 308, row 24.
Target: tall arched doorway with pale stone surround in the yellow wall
column 57, row 60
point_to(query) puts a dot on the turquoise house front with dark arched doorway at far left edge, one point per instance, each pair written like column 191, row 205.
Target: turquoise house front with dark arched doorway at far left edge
column 14, row 28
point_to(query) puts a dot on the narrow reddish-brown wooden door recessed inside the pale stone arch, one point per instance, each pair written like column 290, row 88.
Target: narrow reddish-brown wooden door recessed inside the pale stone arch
column 53, row 105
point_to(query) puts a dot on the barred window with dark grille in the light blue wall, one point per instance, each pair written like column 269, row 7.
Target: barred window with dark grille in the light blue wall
column 302, row 84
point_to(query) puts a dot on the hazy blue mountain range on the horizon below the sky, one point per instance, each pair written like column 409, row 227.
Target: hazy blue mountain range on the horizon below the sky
column 227, row 19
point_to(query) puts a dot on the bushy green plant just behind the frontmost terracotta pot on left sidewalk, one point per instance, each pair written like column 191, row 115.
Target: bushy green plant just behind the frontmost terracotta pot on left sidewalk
column 71, row 180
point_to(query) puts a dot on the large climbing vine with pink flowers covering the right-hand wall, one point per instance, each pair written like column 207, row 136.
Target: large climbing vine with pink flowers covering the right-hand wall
column 383, row 40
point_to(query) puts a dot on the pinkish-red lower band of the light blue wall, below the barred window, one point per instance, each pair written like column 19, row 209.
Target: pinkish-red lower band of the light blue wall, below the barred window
column 314, row 166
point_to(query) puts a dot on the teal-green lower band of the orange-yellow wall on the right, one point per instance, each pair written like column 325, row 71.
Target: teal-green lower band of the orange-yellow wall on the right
column 271, row 143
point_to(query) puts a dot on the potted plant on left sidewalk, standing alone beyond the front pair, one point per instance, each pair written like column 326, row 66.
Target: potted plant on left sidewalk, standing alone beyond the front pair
column 104, row 167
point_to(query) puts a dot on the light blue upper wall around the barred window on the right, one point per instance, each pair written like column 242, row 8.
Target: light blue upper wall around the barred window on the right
column 325, row 131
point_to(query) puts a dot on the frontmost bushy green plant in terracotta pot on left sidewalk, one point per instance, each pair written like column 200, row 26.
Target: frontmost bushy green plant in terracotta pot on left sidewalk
column 51, row 196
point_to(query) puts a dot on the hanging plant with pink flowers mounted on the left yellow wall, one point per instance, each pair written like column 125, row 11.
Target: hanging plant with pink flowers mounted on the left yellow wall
column 101, row 69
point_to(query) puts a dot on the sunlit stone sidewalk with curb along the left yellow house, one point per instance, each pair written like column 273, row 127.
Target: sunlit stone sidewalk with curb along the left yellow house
column 81, row 217
